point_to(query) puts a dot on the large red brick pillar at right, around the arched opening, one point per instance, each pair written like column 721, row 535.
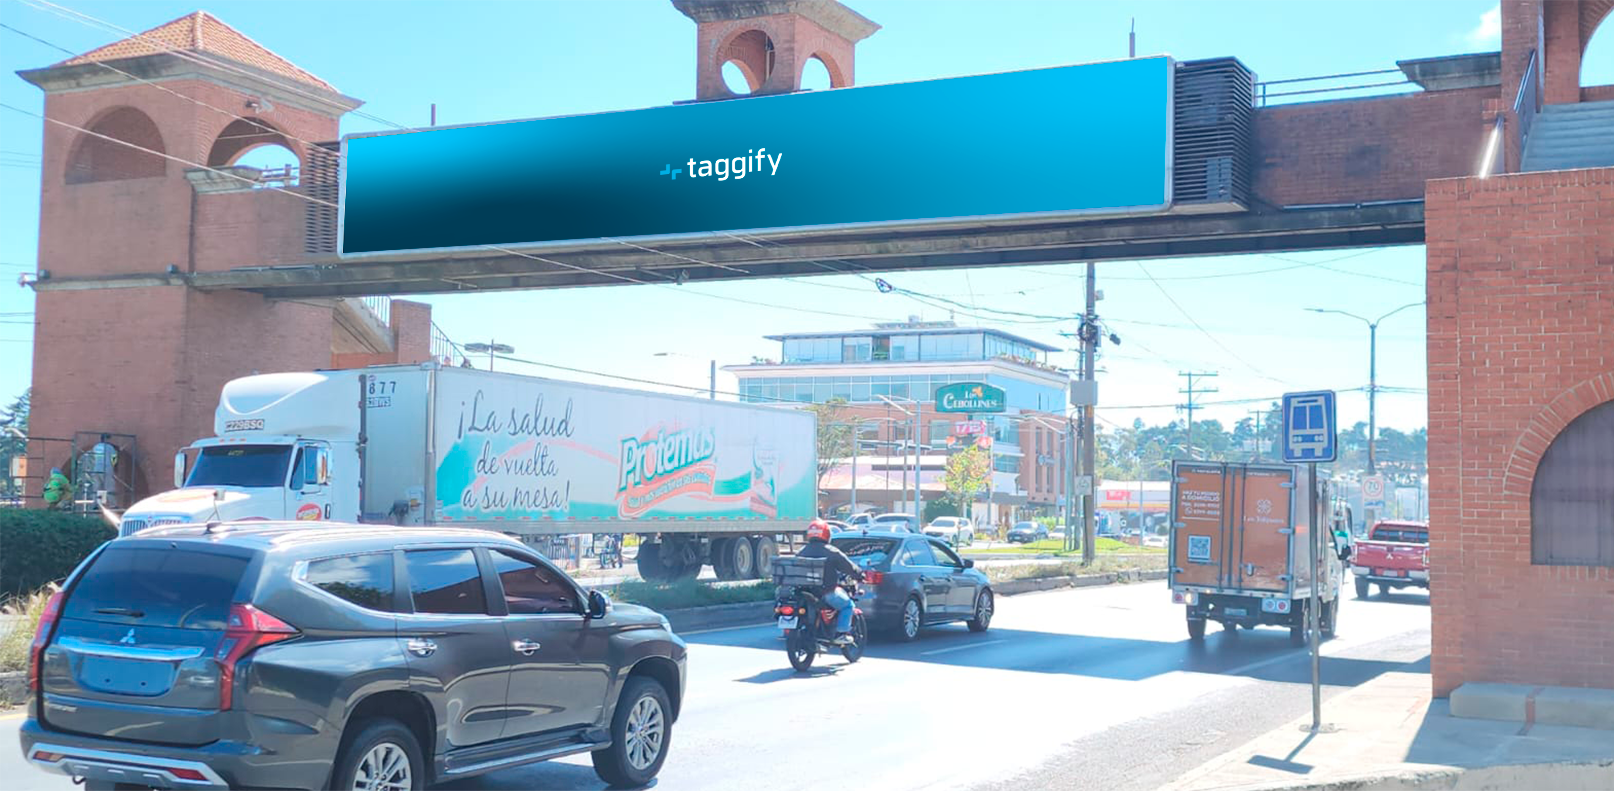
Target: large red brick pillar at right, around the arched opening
column 1521, row 311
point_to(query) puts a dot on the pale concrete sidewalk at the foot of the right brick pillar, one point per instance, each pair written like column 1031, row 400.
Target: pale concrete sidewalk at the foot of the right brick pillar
column 1389, row 734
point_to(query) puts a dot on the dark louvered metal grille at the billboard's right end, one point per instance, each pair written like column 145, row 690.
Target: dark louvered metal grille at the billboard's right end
column 1215, row 109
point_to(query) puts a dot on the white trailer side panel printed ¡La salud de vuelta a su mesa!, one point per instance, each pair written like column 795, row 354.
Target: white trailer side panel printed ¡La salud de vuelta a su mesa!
column 540, row 450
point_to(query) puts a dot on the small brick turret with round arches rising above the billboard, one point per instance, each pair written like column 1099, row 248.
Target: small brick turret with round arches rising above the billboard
column 772, row 41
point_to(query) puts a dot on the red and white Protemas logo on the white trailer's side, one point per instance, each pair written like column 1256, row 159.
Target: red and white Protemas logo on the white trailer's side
column 661, row 466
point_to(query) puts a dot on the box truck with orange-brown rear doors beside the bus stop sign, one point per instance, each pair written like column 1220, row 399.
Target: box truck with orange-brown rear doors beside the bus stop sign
column 1240, row 548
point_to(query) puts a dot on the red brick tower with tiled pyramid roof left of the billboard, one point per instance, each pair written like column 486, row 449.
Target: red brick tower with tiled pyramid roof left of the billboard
column 140, row 177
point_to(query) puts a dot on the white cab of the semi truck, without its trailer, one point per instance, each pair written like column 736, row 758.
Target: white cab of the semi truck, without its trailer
column 286, row 448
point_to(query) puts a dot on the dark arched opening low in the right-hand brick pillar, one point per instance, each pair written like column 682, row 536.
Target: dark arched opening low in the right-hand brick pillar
column 1573, row 495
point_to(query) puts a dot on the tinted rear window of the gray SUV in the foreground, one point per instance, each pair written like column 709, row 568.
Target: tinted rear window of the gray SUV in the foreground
column 159, row 587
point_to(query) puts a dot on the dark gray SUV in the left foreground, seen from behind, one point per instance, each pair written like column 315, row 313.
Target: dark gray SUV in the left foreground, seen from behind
column 345, row 658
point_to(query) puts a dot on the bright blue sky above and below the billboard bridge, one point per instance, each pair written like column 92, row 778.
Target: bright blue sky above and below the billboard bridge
column 496, row 61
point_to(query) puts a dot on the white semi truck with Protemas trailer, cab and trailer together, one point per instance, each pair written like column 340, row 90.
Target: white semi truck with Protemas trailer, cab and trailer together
column 700, row 482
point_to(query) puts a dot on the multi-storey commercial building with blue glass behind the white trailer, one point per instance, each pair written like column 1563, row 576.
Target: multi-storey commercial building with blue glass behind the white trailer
column 906, row 362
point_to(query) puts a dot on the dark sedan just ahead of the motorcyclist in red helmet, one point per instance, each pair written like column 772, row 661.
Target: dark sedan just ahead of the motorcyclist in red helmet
column 918, row 582
